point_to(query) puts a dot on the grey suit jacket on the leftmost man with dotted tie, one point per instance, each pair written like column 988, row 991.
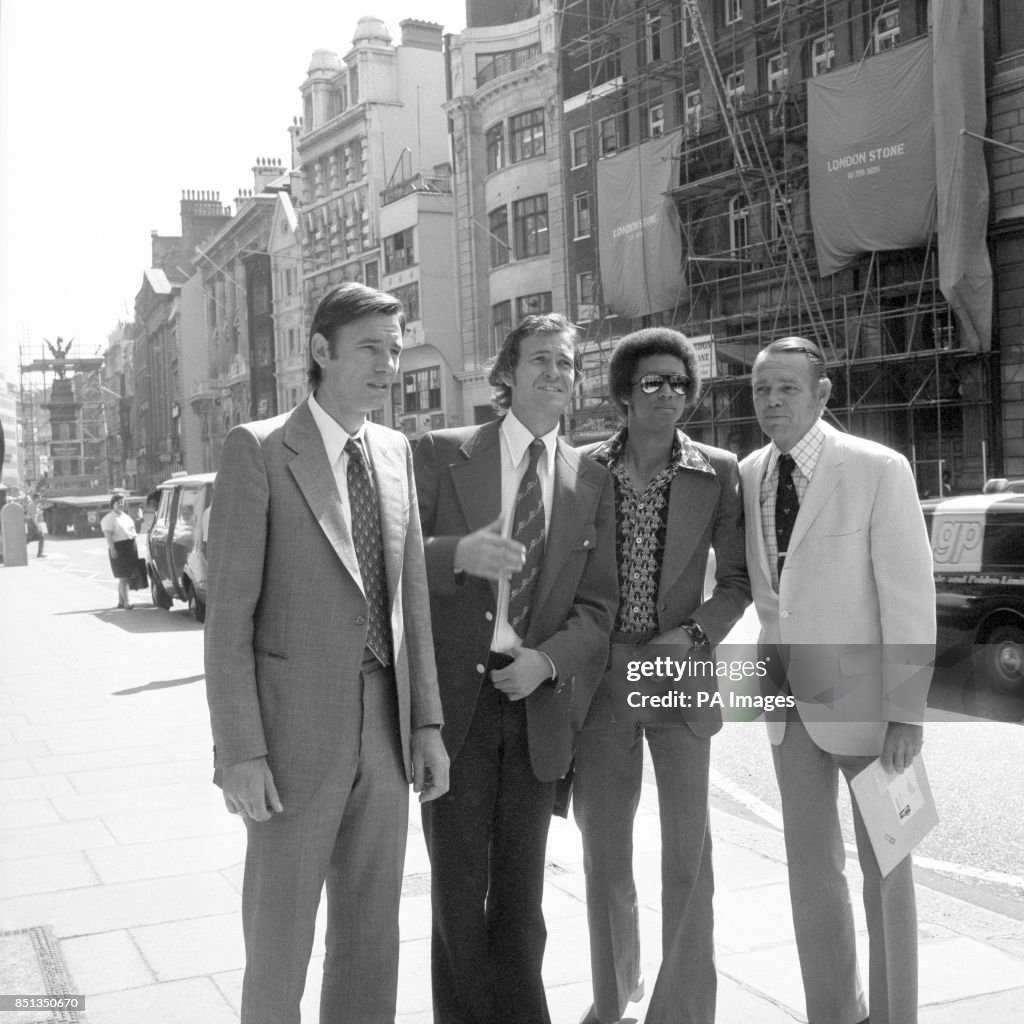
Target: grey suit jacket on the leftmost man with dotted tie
column 286, row 616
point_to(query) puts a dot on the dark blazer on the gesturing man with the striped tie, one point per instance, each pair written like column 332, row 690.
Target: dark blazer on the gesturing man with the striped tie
column 458, row 480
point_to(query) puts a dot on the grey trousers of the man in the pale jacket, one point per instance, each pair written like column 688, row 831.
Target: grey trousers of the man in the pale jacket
column 808, row 782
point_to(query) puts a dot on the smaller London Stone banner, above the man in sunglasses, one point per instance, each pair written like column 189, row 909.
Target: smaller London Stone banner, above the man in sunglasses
column 638, row 229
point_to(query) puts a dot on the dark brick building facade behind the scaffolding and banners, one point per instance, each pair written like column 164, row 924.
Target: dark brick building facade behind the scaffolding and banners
column 726, row 83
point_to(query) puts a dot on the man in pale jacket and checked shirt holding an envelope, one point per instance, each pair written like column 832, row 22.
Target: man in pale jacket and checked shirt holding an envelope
column 841, row 571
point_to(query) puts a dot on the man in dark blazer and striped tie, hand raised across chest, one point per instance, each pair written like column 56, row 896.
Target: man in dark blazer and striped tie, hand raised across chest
column 520, row 536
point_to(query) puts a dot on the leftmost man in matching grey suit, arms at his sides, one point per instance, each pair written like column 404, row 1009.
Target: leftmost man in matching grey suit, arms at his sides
column 321, row 674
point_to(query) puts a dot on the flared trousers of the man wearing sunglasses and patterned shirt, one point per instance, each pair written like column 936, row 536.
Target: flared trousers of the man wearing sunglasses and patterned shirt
column 609, row 778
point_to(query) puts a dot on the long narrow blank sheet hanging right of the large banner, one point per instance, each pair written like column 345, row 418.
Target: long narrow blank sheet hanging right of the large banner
column 965, row 270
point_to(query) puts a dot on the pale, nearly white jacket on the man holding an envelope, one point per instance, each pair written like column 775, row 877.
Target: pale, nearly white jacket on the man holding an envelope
column 857, row 601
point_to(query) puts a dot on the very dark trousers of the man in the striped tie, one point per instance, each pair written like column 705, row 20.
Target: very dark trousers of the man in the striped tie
column 487, row 839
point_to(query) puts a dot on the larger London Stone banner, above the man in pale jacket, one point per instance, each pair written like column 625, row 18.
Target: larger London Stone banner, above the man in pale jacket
column 871, row 150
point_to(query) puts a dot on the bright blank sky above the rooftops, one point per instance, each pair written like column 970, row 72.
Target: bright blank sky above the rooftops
column 110, row 110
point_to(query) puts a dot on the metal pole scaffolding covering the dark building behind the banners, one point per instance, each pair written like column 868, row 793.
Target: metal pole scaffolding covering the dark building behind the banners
column 736, row 91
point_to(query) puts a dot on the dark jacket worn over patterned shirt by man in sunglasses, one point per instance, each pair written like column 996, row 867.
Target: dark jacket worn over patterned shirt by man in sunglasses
column 706, row 510
